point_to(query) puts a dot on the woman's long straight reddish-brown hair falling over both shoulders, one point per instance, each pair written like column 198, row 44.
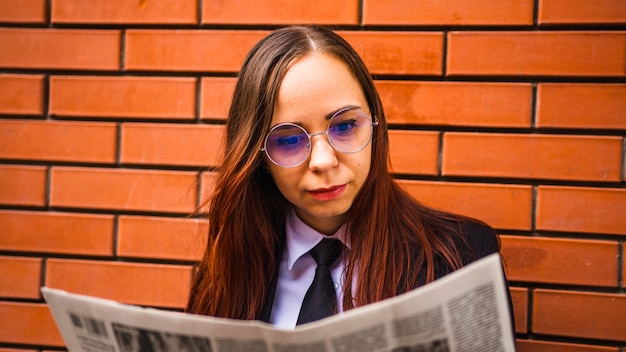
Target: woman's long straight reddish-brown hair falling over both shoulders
column 396, row 242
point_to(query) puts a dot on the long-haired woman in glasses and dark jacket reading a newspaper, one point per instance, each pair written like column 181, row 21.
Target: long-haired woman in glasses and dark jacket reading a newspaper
column 306, row 158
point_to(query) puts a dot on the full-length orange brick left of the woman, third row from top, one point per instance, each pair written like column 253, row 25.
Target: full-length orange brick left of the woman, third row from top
column 142, row 97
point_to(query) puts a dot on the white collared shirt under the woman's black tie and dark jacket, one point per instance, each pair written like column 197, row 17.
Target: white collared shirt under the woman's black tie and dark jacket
column 297, row 269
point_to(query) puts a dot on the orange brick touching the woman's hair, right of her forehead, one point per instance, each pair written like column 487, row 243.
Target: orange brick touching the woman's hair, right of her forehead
column 457, row 103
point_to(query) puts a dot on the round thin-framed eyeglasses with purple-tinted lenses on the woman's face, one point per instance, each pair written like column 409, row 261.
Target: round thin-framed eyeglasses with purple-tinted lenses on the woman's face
column 289, row 145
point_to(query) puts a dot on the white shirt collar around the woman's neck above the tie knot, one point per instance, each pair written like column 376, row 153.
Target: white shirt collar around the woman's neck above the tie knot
column 301, row 237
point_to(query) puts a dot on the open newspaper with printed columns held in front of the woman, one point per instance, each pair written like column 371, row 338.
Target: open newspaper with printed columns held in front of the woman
column 464, row 311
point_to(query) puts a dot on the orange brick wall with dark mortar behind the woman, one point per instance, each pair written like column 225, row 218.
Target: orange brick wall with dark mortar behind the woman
column 511, row 111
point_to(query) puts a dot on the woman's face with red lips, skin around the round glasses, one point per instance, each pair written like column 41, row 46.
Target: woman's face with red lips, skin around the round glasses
column 322, row 188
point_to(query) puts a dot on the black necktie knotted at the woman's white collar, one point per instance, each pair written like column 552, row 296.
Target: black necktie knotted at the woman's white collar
column 320, row 300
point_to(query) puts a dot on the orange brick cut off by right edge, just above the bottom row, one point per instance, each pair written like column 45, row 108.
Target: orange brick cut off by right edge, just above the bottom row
column 595, row 316
